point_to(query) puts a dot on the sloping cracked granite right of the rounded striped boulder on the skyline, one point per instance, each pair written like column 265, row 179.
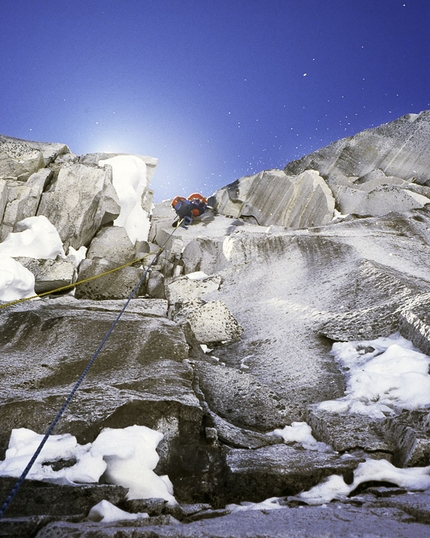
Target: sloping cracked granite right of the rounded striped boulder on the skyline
column 369, row 171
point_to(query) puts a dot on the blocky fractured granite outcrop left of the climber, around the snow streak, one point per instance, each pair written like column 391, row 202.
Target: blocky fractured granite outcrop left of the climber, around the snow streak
column 77, row 195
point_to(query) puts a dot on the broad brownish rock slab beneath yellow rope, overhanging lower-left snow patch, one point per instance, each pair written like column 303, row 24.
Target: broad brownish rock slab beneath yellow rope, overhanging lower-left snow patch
column 139, row 378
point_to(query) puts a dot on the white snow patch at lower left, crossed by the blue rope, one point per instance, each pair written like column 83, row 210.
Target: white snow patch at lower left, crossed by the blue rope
column 124, row 457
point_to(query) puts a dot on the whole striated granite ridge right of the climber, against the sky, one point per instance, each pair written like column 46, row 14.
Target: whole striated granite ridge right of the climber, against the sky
column 372, row 173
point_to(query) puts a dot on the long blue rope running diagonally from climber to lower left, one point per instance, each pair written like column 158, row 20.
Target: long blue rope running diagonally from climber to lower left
column 80, row 380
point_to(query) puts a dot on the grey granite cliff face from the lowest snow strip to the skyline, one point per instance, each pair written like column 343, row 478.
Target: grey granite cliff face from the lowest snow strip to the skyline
column 230, row 335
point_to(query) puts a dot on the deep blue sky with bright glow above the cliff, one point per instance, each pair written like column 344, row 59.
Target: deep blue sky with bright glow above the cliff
column 215, row 89
